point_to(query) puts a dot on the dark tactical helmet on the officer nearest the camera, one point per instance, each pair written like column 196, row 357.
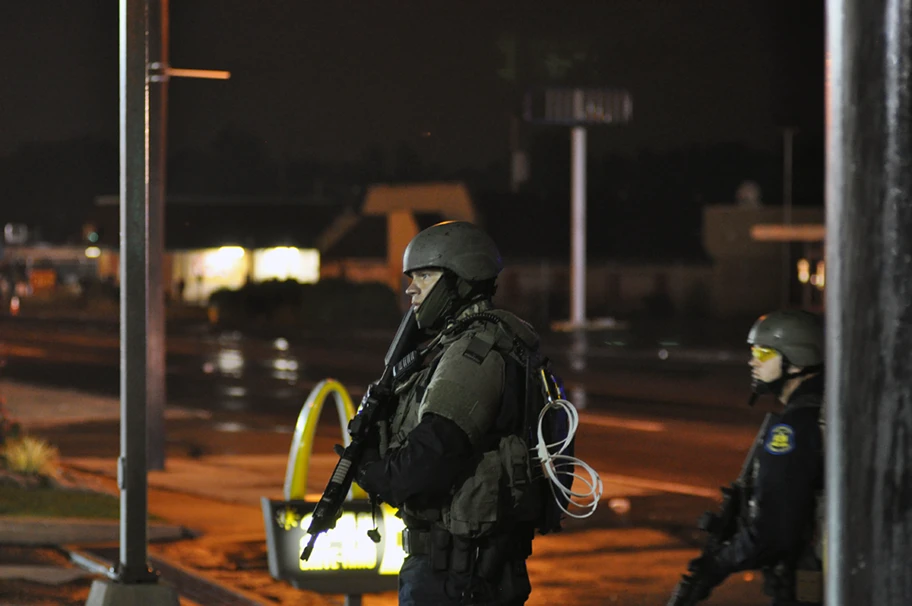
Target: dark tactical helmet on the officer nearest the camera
column 457, row 246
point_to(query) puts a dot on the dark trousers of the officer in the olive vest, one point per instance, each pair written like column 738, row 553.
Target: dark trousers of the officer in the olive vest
column 421, row 585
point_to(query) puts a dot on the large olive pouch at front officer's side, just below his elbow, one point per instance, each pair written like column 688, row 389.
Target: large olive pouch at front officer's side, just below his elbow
column 474, row 509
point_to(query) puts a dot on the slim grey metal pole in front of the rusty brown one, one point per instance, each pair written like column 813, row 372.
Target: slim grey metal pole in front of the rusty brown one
column 134, row 292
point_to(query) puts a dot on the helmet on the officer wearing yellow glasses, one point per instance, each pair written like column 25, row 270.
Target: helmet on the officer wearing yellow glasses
column 797, row 335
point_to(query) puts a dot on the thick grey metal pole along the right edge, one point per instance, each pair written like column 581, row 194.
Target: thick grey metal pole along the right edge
column 869, row 324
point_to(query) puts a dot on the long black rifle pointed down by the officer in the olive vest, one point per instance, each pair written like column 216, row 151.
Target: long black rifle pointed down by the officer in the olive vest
column 374, row 407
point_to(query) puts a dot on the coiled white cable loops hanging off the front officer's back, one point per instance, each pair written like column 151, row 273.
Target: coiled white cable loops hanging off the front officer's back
column 555, row 464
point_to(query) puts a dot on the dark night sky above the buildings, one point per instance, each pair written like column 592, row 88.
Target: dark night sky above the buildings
column 326, row 98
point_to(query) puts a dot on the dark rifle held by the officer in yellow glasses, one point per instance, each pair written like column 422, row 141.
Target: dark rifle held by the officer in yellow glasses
column 720, row 527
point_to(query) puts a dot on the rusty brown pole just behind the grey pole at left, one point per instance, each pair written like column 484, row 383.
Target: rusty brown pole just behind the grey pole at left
column 158, row 126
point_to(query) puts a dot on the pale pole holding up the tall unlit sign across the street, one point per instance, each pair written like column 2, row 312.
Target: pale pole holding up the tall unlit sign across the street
column 578, row 218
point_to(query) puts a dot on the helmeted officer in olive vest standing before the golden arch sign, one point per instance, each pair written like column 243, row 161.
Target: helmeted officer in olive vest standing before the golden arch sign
column 442, row 466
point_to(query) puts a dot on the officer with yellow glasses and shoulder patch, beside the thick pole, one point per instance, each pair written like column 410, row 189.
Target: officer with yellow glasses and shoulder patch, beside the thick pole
column 781, row 532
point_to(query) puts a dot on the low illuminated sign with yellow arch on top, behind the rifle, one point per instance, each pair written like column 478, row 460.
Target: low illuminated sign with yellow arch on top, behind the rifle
column 345, row 560
